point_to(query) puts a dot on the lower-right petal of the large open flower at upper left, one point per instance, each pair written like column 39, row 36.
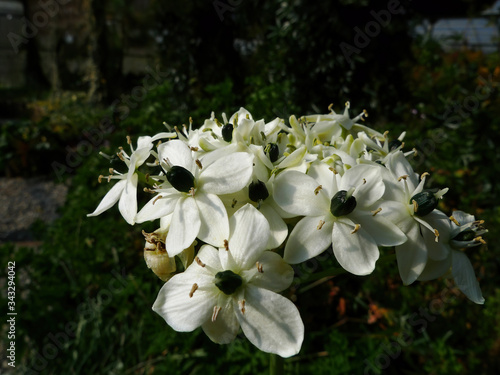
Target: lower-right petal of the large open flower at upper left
column 214, row 227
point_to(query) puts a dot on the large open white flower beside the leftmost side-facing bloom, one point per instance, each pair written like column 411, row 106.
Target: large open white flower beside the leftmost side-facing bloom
column 193, row 196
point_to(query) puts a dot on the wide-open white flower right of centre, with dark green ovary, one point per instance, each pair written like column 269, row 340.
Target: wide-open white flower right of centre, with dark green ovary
column 341, row 211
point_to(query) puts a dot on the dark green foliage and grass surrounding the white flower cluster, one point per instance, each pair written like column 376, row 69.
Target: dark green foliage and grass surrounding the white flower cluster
column 353, row 324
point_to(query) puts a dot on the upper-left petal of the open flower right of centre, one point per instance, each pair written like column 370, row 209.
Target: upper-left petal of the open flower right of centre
column 294, row 192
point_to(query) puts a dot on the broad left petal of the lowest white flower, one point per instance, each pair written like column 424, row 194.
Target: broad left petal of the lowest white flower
column 182, row 312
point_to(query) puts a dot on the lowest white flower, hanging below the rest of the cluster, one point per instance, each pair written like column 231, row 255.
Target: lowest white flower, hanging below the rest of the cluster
column 236, row 286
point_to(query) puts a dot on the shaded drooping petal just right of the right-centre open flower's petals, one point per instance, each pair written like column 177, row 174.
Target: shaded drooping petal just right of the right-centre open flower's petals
column 412, row 255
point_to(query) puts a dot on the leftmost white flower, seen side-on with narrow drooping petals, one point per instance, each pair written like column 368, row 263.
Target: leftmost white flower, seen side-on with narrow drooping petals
column 125, row 190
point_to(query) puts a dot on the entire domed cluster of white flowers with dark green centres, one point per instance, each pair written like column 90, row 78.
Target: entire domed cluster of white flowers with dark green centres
column 227, row 193
